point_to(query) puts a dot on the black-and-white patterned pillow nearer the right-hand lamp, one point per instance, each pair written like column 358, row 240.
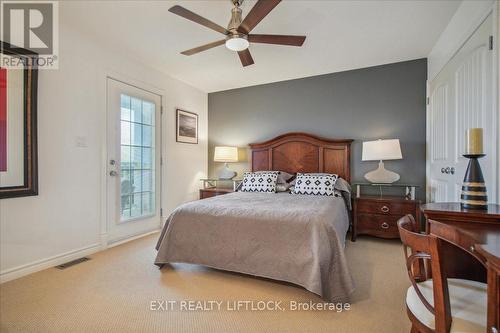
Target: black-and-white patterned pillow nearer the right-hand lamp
column 315, row 184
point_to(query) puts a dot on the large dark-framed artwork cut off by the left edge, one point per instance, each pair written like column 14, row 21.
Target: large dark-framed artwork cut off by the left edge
column 18, row 124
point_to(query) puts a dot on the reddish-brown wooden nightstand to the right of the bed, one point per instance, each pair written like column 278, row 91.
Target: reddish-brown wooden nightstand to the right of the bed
column 378, row 215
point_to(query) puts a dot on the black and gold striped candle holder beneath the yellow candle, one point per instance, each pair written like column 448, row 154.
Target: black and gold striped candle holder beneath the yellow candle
column 473, row 189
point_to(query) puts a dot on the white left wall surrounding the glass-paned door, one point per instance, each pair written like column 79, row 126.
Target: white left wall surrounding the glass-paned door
column 66, row 219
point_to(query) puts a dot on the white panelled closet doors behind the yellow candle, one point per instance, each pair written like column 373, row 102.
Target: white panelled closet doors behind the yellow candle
column 461, row 97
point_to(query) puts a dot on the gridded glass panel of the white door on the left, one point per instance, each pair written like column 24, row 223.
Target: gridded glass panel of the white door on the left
column 137, row 158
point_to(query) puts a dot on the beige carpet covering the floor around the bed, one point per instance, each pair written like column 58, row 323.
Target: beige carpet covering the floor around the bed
column 113, row 292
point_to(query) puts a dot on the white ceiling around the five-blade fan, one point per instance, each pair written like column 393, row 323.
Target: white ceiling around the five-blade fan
column 341, row 35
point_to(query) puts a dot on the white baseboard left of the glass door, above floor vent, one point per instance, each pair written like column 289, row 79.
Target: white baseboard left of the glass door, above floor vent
column 39, row 265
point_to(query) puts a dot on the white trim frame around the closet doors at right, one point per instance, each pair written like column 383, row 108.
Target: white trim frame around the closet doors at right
column 494, row 11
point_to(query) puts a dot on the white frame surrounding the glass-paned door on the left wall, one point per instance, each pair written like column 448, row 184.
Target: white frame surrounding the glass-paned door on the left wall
column 110, row 74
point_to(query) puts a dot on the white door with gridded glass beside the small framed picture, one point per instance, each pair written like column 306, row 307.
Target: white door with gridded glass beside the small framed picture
column 133, row 160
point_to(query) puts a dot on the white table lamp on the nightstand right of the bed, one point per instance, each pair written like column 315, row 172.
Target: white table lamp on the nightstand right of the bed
column 381, row 150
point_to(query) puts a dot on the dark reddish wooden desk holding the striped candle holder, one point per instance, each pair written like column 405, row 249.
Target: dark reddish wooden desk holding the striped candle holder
column 475, row 236
